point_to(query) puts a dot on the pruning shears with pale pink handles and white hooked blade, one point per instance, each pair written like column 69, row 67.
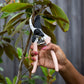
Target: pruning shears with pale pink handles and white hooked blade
column 44, row 39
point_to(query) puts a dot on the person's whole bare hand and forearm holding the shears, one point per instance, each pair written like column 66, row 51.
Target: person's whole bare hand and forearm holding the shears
column 66, row 69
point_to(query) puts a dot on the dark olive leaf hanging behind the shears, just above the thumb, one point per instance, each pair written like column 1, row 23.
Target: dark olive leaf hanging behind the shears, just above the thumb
column 49, row 33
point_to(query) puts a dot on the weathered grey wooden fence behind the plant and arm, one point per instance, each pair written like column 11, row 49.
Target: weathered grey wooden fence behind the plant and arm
column 71, row 42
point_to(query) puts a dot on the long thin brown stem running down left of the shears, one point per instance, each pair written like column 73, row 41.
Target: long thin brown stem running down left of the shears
column 22, row 59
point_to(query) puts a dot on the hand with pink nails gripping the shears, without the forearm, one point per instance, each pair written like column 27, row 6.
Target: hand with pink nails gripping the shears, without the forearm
column 45, row 58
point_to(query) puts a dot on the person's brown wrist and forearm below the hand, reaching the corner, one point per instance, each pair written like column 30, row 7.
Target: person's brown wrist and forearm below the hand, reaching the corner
column 70, row 74
